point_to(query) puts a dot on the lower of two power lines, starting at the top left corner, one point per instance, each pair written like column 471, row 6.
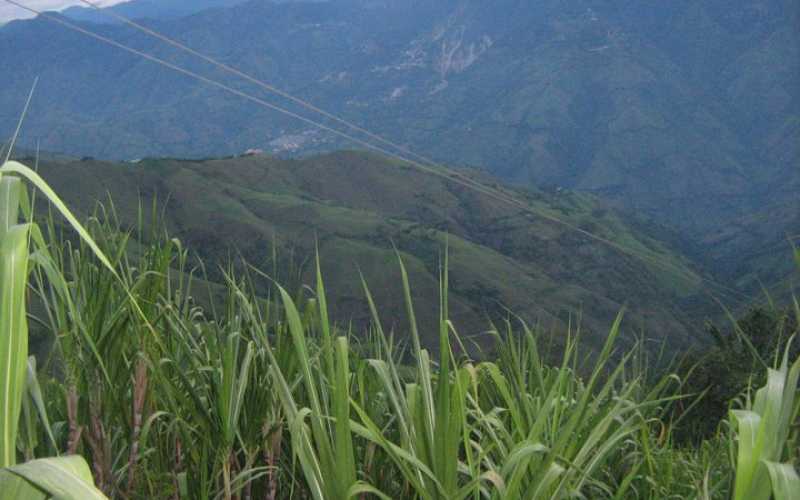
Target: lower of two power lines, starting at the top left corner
column 437, row 170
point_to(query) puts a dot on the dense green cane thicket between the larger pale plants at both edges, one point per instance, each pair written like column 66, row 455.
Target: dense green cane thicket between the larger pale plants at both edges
column 268, row 397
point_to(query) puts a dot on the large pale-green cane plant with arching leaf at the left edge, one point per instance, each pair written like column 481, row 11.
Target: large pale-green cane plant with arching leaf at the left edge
column 21, row 249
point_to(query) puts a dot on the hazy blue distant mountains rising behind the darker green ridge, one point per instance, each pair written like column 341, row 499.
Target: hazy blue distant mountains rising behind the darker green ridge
column 684, row 112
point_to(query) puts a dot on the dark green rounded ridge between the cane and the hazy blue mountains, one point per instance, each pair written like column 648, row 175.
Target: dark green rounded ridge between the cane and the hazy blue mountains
column 356, row 207
